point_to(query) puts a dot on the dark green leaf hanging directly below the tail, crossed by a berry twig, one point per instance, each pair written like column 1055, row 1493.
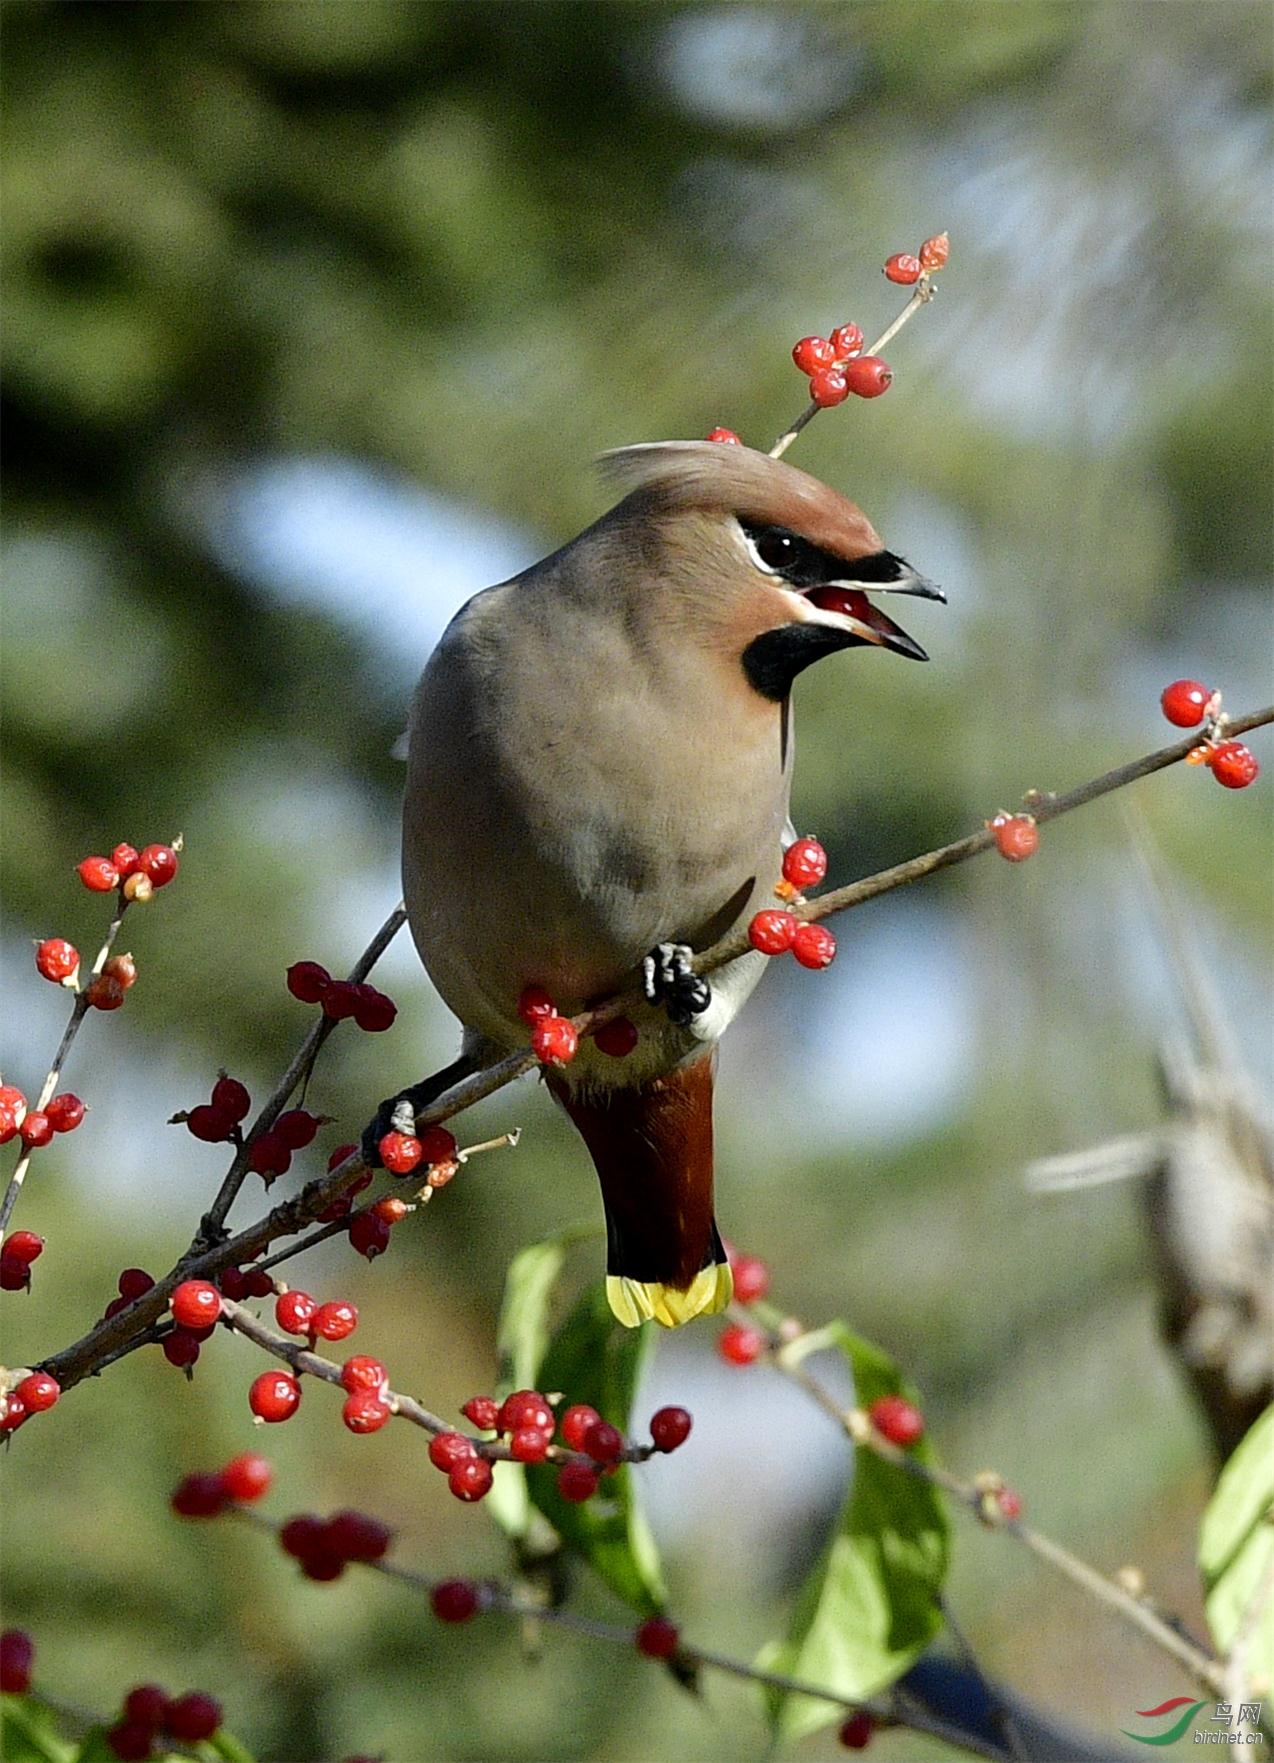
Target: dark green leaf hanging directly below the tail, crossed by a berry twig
column 598, row 1362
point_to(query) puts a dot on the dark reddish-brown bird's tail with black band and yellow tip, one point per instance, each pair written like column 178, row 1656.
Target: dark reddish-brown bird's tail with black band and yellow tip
column 653, row 1150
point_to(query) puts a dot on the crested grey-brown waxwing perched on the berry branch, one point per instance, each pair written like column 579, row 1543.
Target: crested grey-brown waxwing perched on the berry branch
column 598, row 773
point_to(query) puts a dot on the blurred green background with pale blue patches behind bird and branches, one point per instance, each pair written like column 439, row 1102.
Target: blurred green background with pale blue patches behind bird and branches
column 316, row 320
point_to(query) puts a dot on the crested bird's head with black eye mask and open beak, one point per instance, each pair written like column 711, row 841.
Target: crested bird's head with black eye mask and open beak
column 764, row 560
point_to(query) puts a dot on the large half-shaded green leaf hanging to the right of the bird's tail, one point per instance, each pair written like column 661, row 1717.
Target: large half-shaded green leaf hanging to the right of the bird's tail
column 871, row 1605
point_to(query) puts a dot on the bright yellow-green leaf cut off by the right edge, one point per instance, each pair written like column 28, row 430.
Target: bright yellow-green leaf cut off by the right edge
column 1236, row 1545
